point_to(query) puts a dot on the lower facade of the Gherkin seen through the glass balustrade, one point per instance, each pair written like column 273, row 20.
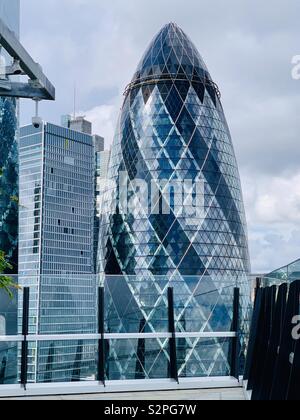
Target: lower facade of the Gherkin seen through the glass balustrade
column 200, row 306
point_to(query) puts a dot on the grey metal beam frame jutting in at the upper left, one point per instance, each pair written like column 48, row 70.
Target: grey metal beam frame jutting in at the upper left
column 38, row 87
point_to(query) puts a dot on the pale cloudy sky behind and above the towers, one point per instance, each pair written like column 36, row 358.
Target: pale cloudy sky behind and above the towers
column 248, row 46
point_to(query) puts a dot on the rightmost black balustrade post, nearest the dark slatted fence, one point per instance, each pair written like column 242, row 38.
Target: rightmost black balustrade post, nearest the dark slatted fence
column 235, row 365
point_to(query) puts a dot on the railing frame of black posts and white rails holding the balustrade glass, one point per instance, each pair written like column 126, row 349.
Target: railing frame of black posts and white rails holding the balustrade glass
column 101, row 382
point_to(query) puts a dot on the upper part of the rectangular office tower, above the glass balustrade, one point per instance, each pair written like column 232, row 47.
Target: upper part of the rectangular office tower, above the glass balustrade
column 57, row 201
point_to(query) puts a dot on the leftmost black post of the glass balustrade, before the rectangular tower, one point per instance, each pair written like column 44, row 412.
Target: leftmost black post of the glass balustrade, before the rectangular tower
column 25, row 332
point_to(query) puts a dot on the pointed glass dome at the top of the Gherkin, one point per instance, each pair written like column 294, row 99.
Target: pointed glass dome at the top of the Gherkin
column 171, row 54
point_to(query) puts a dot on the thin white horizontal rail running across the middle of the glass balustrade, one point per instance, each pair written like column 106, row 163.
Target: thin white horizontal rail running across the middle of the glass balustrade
column 115, row 336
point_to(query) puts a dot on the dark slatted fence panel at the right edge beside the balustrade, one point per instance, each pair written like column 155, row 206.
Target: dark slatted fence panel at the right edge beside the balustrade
column 273, row 361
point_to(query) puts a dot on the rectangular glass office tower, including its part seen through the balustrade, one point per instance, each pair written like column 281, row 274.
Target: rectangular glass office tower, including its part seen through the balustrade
column 56, row 246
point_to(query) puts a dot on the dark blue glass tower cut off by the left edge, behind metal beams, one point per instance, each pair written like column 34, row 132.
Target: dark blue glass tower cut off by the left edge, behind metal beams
column 10, row 14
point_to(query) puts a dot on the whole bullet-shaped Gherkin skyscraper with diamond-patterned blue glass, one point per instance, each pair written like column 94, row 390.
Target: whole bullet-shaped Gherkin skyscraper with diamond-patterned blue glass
column 172, row 145
